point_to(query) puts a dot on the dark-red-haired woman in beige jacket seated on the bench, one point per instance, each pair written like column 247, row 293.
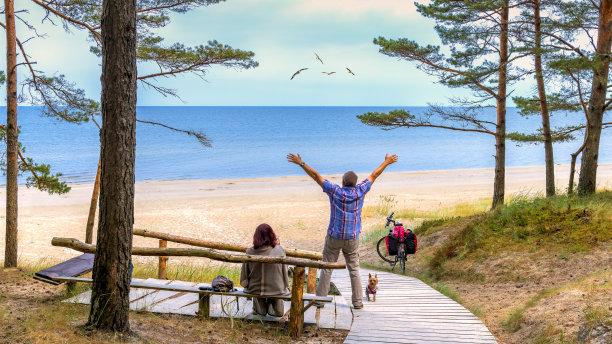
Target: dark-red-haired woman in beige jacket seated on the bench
column 265, row 279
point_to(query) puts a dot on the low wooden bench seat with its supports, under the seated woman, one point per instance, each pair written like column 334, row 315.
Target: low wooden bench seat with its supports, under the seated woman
column 204, row 295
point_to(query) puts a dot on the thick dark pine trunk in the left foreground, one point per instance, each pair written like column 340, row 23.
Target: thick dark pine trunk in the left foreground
column 111, row 286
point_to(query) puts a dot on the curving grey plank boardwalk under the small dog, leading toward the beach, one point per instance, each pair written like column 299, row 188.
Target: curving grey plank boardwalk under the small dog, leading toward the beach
column 409, row 311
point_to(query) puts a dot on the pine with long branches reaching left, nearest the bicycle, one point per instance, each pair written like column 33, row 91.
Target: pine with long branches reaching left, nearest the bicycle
column 479, row 58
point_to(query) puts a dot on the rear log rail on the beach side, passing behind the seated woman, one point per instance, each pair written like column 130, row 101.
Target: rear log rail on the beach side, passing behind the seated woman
column 219, row 245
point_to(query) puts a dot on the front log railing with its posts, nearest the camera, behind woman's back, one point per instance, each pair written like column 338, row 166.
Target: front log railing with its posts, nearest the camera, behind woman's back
column 296, row 316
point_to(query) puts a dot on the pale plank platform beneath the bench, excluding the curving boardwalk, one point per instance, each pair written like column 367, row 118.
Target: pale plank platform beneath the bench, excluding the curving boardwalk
column 336, row 315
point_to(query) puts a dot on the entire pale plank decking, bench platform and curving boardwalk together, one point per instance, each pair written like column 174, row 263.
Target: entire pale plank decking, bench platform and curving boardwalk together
column 406, row 311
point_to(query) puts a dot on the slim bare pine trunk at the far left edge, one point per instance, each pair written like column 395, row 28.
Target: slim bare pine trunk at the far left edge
column 12, row 136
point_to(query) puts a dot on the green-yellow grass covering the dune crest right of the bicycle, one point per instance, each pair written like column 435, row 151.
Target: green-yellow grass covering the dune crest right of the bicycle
column 563, row 225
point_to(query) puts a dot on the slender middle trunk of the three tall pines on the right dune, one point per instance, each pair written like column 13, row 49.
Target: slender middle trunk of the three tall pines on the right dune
column 548, row 149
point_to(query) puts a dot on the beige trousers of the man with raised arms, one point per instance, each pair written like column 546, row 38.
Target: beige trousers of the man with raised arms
column 331, row 251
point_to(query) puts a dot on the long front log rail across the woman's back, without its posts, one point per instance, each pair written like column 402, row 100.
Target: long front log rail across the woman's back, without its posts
column 199, row 252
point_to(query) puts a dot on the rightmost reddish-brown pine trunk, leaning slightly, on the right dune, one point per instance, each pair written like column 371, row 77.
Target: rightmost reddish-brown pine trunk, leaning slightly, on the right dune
column 587, row 180
